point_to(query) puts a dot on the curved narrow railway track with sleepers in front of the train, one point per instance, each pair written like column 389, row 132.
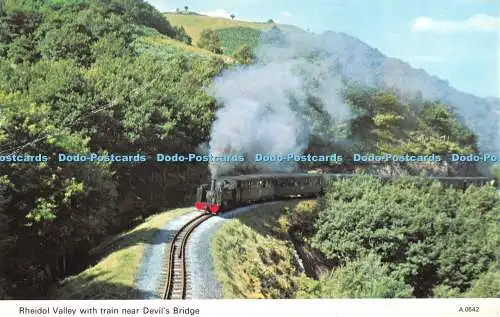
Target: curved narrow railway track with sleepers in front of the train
column 175, row 284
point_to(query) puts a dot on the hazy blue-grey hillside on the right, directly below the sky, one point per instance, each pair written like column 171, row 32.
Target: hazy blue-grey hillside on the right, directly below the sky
column 369, row 66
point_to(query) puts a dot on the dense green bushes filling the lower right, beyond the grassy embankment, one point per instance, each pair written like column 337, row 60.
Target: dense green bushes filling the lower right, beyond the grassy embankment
column 439, row 241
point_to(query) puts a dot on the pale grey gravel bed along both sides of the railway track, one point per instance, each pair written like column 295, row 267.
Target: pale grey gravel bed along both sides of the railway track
column 201, row 275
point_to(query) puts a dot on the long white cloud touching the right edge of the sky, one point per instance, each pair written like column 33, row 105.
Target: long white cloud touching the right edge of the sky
column 478, row 22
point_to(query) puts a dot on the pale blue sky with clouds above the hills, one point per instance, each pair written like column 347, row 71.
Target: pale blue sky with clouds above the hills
column 456, row 40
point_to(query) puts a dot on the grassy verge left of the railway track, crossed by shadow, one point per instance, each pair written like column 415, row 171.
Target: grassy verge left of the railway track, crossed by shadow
column 113, row 277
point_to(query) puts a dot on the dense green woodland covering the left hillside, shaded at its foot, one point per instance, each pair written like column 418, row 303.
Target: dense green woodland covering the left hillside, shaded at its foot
column 75, row 79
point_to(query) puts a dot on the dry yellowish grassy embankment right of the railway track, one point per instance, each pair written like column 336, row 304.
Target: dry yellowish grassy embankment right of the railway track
column 252, row 254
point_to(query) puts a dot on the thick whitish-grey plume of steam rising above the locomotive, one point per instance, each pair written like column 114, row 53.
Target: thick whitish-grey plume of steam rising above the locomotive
column 267, row 106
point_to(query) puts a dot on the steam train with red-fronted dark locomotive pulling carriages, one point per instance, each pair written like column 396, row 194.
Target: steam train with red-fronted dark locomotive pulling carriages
column 229, row 192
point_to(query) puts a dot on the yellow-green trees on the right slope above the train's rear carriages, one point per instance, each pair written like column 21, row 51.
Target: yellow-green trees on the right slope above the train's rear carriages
column 382, row 123
